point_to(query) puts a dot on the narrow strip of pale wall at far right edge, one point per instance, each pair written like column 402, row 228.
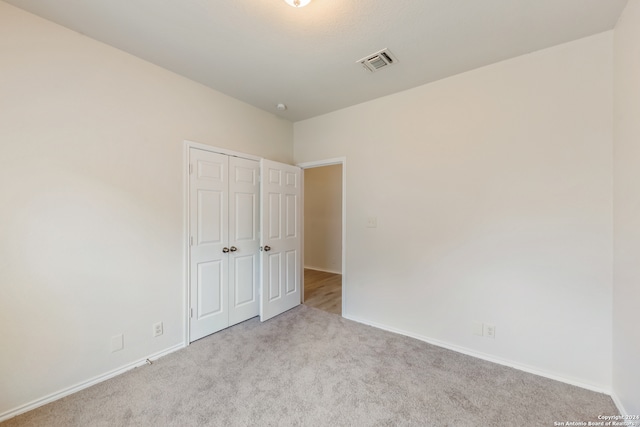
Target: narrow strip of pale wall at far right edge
column 626, row 290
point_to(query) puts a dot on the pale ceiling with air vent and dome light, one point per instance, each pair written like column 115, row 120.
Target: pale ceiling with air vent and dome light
column 265, row 52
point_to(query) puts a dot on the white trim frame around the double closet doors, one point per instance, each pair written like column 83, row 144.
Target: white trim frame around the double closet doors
column 187, row 145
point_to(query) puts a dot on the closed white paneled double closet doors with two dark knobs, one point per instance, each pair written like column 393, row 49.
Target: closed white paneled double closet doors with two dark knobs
column 224, row 251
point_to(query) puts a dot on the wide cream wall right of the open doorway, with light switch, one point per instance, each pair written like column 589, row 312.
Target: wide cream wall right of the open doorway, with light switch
column 492, row 192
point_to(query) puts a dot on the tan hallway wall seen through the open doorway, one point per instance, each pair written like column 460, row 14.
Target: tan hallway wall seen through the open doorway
column 323, row 218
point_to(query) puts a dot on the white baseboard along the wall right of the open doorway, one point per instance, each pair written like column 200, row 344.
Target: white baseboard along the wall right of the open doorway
column 484, row 356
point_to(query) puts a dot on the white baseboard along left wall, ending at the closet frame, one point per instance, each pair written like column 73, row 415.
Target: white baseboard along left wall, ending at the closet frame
column 85, row 384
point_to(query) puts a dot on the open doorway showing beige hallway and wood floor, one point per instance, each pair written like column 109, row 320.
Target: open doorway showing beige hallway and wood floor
column 324, row 226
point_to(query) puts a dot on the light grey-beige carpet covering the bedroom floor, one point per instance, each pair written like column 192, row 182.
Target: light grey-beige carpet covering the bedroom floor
column 311, row 368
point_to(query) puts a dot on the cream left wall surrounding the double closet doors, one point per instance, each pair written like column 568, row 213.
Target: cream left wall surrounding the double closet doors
column 91, row 201
